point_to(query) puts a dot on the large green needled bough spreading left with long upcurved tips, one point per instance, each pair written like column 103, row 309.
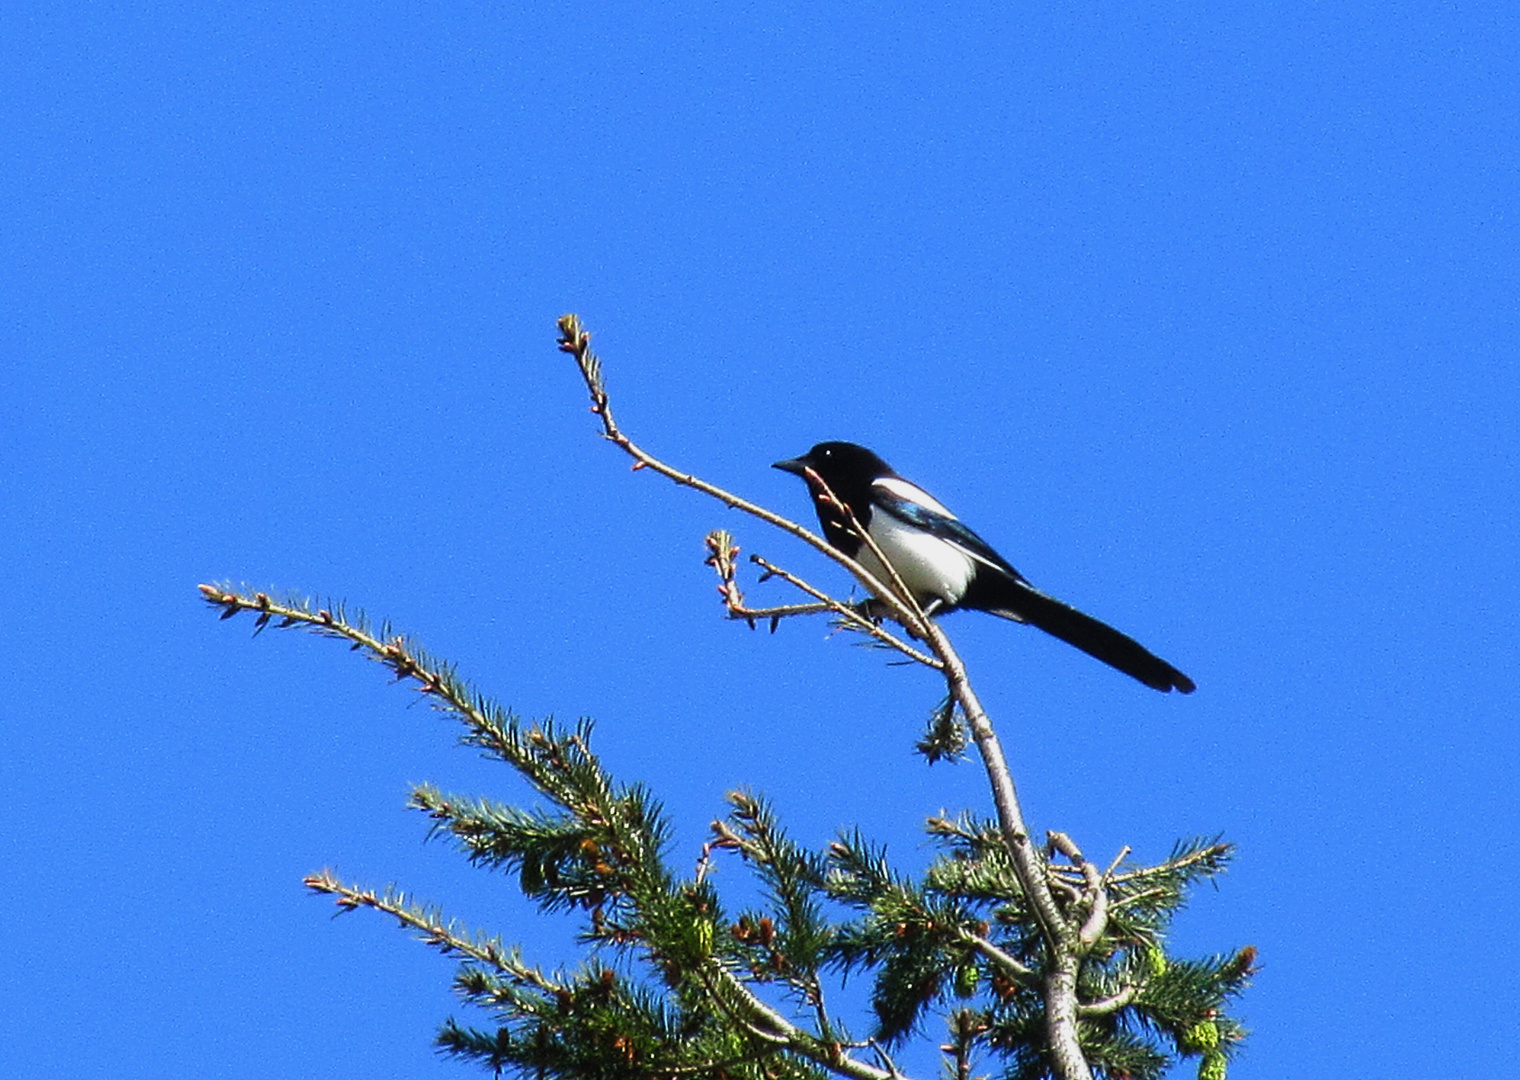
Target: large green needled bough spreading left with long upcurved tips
column 597, row 850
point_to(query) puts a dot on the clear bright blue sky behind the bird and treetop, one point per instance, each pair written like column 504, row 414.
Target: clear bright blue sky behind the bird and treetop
column 1206, row 317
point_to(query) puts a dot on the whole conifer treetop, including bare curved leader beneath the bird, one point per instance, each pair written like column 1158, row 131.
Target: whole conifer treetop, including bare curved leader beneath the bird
column 1022, row 961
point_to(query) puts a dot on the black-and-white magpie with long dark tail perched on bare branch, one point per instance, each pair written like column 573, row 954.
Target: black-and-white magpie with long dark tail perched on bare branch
column 946, row 566
